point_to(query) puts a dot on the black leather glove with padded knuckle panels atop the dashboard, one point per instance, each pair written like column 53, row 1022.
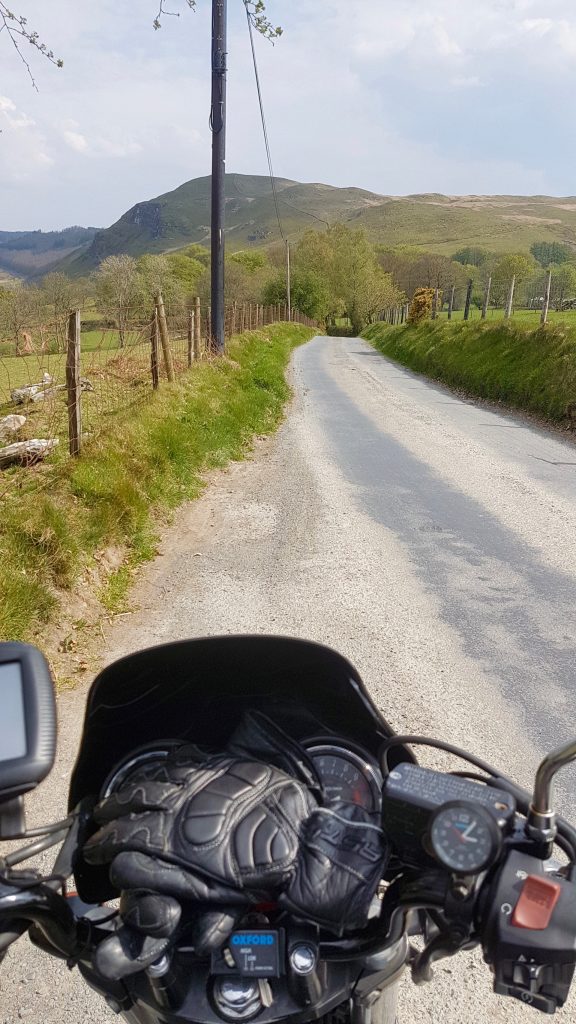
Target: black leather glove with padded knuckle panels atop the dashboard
column 226, row 832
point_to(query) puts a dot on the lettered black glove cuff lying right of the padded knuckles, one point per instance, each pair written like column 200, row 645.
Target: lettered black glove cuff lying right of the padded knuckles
column 343, row 858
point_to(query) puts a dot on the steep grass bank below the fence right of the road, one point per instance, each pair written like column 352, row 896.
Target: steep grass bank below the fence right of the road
column 531, row 370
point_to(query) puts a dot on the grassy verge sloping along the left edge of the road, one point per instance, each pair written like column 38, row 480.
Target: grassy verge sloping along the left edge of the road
column 59, row 520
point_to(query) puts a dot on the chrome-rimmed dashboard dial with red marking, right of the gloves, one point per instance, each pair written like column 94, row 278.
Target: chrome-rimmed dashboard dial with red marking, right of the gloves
column 347, row 777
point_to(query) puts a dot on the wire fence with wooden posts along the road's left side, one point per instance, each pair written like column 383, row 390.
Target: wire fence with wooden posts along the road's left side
column 62, row 387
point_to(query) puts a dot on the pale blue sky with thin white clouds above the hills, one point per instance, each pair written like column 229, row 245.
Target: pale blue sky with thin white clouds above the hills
column 399, row 97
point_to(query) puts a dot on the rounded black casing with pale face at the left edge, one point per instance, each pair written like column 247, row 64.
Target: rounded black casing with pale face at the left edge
column 28, row 720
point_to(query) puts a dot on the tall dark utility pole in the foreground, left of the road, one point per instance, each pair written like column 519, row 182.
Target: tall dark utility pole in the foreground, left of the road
column 218, row 124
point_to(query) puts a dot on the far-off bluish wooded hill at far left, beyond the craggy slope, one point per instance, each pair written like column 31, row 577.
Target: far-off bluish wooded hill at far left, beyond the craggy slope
column 32, row 253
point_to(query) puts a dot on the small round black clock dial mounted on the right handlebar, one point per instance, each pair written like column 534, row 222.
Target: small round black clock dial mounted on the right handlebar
column 465, row 837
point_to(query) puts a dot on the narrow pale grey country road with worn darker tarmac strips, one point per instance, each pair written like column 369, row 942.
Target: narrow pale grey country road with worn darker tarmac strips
column 430, row 540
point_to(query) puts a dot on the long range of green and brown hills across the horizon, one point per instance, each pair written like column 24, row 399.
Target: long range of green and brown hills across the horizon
column 440, row 224
